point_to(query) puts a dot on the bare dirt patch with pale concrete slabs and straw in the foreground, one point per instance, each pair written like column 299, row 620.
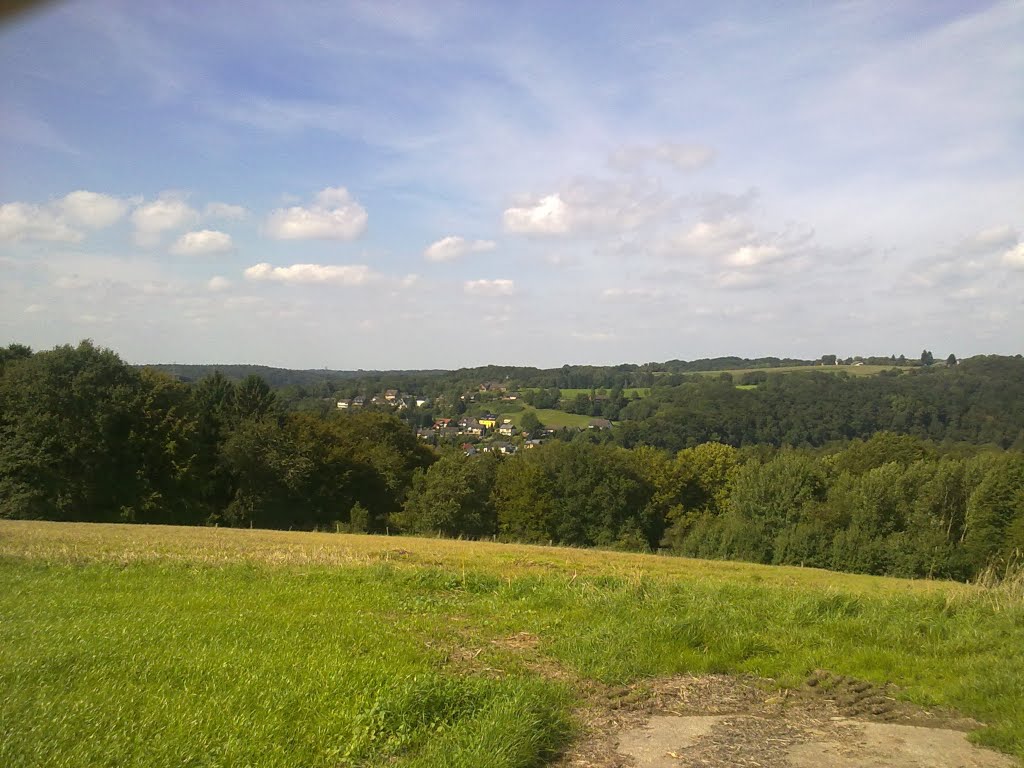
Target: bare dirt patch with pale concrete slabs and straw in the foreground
column 717, row 721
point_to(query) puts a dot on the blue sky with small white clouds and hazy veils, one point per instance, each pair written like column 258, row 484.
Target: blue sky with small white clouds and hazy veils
column 442, row 185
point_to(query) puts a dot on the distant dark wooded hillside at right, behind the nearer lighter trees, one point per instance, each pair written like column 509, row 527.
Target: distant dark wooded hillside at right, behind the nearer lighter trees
column 980, row 401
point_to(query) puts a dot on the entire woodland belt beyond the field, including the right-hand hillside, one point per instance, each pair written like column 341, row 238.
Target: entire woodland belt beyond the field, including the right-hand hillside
column 806, row 468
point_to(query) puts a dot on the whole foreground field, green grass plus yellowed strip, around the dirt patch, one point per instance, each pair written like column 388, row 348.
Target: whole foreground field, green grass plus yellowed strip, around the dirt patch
column 161, row 647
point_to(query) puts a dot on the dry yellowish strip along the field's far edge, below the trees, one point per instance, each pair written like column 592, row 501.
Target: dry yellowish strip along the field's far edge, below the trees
column 64, row 543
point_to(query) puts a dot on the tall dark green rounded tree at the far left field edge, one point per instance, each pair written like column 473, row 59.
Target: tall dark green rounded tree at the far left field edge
column 83, row 437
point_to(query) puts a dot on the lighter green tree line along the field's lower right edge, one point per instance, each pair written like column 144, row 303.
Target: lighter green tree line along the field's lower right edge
column 890, row 505
